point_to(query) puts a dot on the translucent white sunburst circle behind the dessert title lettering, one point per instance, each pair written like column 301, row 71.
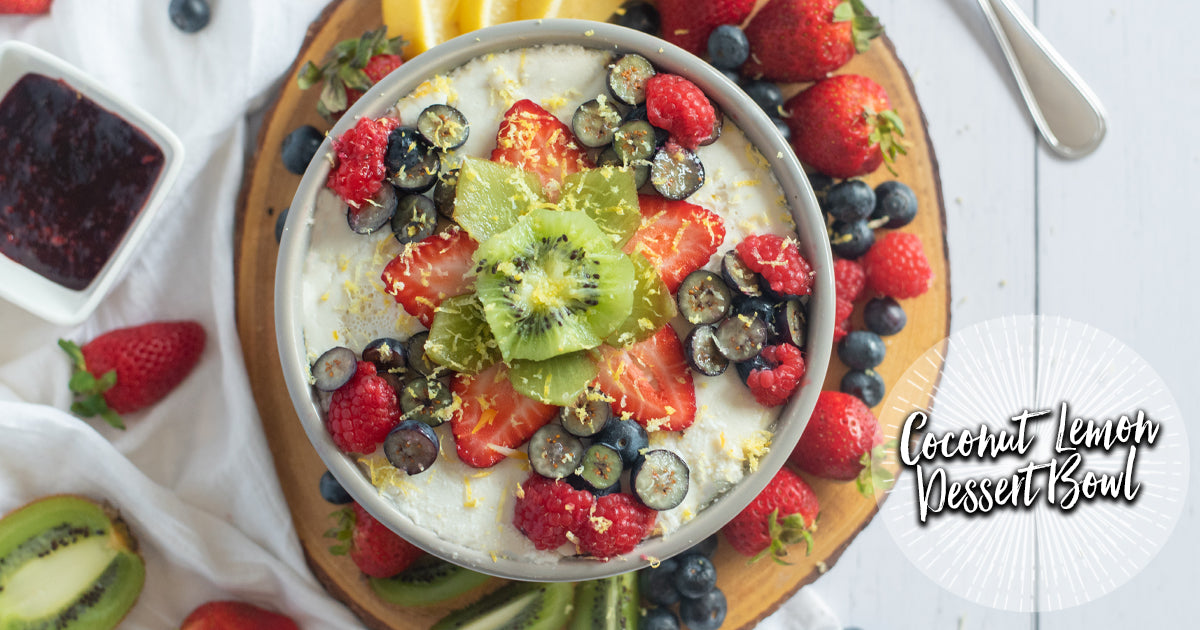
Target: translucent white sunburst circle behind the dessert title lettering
column 1039, row 557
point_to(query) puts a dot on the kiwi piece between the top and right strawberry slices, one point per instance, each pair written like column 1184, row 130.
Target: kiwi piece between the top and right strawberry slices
column 609, row 196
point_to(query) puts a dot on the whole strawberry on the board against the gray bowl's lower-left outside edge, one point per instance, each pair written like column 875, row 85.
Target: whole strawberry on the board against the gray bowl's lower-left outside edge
column 376, row 550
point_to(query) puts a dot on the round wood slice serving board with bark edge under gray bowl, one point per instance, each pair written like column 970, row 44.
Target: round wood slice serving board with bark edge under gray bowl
column 753, row 591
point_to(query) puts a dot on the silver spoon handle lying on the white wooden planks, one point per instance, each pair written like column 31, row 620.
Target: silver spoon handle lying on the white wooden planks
column 1066, row 111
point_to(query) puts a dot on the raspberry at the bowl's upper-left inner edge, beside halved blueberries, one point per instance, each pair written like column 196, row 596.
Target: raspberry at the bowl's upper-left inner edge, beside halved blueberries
column 359, row 173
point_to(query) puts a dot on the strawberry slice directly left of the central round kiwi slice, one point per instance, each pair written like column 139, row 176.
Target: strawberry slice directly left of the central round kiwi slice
column 430, row 272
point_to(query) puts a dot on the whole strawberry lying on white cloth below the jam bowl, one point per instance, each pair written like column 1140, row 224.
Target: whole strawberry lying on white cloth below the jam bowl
column 131, row 369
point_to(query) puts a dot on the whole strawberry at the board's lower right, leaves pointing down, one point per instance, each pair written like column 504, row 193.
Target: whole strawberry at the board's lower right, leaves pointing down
column 782, row 515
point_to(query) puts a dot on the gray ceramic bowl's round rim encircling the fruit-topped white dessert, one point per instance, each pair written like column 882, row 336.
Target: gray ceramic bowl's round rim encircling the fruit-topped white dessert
column 739, row 109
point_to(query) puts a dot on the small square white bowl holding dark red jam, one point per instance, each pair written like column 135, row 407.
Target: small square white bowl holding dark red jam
column 32, row 291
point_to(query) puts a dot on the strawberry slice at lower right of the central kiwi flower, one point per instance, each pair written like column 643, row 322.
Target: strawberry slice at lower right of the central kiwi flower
column 651, row 381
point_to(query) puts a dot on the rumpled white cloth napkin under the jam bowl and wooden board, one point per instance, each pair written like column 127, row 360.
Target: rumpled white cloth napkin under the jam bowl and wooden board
column 194, row 475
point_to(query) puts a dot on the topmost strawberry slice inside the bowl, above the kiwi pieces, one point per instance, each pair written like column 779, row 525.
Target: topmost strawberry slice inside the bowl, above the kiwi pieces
column 533, row 140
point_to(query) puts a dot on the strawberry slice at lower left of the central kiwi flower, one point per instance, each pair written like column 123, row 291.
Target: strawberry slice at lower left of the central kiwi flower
column 493, row 418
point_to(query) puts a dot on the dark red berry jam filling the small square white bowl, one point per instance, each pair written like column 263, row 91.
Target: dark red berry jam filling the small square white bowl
column 74, row 177
